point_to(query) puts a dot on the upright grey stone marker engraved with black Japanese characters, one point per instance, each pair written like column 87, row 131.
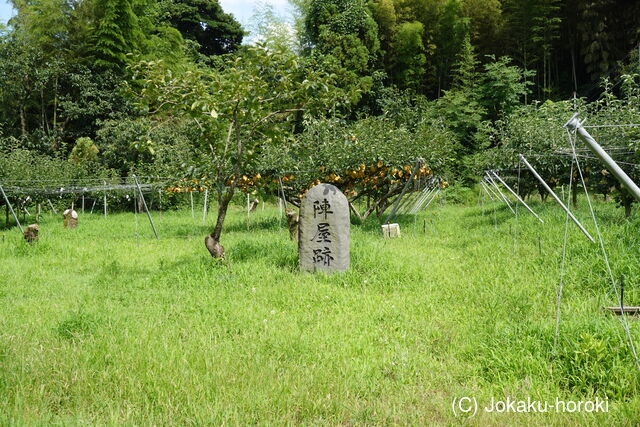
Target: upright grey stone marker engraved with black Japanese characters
column 323, row 242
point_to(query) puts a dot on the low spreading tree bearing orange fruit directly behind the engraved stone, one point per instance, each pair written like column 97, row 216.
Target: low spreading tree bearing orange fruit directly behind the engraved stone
column 369, row 160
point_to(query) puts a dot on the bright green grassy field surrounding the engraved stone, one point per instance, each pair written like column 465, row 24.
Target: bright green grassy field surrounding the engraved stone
column 95, row 329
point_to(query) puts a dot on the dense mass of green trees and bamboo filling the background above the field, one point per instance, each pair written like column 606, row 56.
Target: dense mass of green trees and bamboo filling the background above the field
column 95, row 88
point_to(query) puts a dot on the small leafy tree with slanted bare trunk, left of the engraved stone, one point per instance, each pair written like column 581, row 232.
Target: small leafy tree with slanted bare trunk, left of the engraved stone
column 247, row 103
